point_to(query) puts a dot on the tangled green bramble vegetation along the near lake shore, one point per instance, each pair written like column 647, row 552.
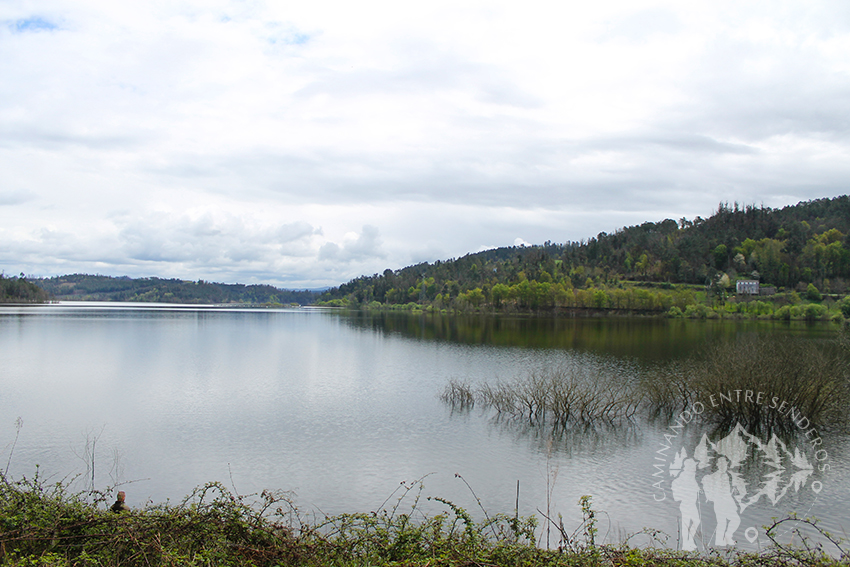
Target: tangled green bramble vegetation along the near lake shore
column 43, row 524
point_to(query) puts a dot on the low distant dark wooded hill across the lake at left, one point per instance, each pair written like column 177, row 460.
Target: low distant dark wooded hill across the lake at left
column 83, row 287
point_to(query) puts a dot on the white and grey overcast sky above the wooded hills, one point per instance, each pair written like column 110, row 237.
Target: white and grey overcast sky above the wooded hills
column 305, row 143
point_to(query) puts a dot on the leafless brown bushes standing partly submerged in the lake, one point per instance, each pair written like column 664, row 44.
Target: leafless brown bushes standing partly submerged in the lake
column 762, row 382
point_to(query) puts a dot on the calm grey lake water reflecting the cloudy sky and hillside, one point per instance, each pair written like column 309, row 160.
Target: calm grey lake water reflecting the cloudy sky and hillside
column 340, row 409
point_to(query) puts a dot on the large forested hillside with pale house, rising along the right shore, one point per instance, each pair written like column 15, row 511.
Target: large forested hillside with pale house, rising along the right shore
column 786, row 248
